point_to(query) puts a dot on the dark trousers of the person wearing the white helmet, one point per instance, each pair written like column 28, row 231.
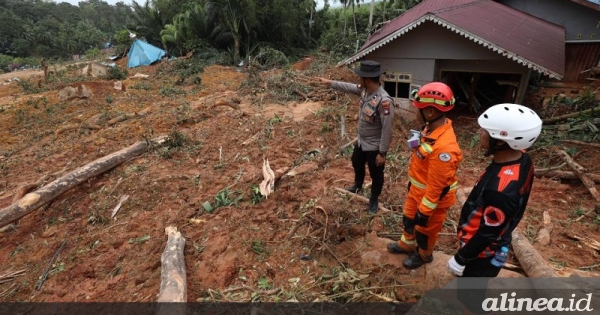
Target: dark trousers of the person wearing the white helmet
column 477, row 274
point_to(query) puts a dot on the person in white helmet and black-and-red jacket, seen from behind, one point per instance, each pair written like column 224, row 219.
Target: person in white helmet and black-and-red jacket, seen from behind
column 499, row 198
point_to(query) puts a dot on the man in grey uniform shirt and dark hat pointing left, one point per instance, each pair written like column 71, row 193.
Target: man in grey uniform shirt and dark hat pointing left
column 376, row 115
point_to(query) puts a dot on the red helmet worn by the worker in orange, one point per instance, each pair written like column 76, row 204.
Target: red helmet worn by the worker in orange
column 436, row 94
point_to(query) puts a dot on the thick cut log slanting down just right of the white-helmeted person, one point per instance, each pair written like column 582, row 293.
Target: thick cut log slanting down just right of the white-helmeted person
column 534, row 265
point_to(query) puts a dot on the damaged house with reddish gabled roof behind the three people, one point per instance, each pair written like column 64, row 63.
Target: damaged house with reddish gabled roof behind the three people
column 487, row 51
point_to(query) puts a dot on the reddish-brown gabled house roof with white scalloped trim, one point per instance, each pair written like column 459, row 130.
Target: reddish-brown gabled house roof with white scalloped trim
column 526, row 39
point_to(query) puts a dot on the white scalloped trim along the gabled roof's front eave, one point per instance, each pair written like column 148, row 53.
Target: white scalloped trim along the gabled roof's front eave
column 472, row 37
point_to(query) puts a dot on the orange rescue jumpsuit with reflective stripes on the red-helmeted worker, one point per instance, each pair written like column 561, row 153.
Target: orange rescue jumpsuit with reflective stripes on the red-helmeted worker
column 432, row 187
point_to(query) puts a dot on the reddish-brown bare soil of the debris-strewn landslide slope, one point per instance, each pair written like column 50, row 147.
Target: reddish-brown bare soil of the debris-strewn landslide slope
column 247, row 243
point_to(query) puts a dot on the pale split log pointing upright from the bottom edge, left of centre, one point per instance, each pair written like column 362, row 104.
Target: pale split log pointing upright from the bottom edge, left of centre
column 173, row 283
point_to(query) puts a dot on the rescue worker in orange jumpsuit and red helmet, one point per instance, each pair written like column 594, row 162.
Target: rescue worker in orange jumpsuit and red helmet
column 432, row 175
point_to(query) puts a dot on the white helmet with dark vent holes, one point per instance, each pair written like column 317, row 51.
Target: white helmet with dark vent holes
column 514, row 124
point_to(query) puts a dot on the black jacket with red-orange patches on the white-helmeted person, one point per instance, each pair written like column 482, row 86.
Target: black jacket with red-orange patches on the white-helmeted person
column 494, row 208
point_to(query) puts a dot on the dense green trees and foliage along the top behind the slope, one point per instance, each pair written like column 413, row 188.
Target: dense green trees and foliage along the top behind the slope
column 34, row 29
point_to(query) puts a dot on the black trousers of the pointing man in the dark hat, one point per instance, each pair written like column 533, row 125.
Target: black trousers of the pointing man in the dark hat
column 359, row 159
